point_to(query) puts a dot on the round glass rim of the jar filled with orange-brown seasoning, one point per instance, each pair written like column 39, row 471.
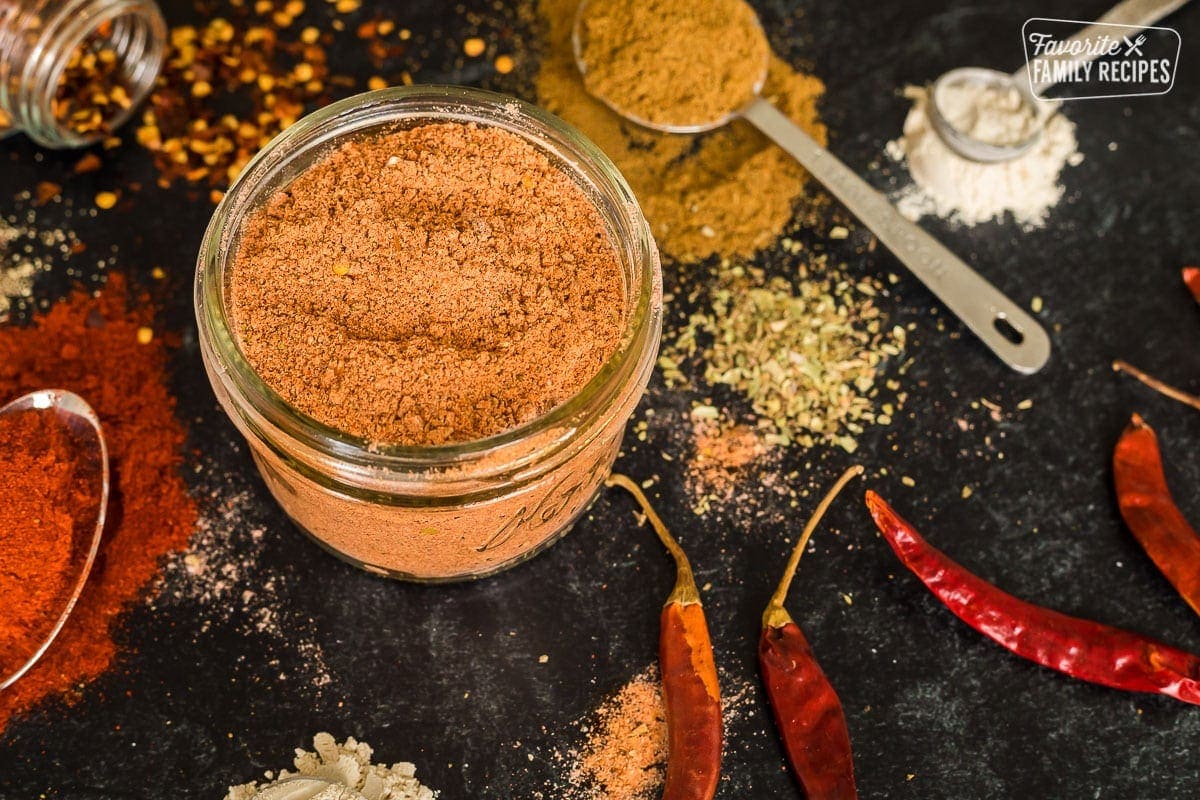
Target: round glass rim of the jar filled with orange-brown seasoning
column 337, row 123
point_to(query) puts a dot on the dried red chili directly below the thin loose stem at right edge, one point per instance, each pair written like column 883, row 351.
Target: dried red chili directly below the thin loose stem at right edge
column 1151, row 514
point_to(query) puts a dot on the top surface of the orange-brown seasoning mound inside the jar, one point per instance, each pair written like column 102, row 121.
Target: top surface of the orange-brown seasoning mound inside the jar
column 435, row 285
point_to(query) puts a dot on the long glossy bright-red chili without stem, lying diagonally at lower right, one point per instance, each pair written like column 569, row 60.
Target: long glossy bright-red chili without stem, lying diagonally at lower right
column 1079, row 648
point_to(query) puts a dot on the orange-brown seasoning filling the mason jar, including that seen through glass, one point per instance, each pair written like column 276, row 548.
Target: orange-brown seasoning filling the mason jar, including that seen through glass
column 423, row 287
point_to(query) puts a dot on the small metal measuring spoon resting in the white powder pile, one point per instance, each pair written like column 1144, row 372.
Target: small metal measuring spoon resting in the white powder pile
column 1027, row 92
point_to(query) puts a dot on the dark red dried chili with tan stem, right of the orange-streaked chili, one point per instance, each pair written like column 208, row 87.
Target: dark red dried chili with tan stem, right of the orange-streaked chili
column 807, row 709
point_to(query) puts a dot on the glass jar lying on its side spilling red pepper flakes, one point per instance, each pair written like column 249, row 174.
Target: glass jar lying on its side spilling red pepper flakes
column 40, row 40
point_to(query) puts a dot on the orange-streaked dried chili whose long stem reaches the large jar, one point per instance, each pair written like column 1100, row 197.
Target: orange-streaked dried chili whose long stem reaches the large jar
column 691, row 691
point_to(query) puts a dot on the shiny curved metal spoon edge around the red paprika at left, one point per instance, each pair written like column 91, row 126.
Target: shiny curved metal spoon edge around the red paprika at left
column 83, row 428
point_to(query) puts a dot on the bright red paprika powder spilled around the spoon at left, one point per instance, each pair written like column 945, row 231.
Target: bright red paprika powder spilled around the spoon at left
column 104, row 350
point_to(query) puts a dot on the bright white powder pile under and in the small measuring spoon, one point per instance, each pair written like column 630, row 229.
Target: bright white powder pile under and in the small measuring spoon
column 950, row 187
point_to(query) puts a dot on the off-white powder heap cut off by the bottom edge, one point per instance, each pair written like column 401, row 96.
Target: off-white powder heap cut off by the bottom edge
column 337, row 772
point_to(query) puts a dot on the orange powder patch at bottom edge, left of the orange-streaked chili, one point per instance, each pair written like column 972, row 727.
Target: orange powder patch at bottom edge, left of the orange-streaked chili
column 626, row 751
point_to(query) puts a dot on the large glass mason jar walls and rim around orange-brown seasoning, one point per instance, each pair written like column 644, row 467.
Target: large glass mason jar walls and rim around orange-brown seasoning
column 451, row 512
